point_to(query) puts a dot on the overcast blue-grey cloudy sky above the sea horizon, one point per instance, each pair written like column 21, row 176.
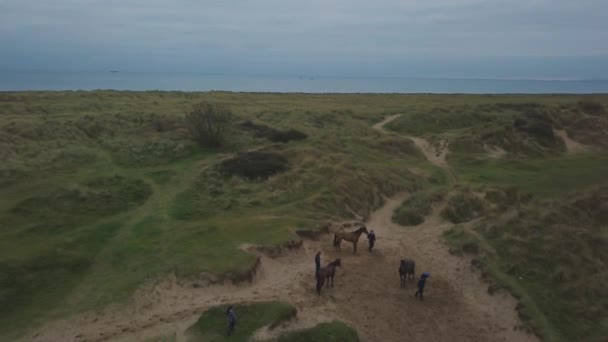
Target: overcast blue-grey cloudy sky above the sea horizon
column 385, row 38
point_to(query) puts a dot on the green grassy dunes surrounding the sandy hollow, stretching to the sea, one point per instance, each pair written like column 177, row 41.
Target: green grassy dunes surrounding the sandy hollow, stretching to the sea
column 103, row 191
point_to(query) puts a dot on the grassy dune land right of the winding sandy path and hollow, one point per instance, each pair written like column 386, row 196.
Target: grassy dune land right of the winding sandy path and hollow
column 551, row 255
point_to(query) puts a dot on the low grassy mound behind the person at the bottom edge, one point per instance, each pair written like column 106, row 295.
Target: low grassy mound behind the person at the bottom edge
column 212, row 324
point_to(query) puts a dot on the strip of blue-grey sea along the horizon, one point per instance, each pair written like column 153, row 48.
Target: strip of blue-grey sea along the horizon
column 52, row 80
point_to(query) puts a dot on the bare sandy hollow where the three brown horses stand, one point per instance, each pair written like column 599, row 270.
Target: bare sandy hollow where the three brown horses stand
column 457, row 306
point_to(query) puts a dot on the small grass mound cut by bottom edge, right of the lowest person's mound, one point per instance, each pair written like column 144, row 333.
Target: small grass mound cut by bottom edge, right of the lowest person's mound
column 324, row 332
